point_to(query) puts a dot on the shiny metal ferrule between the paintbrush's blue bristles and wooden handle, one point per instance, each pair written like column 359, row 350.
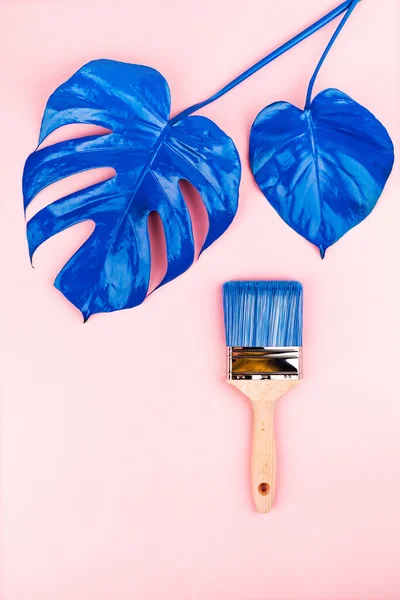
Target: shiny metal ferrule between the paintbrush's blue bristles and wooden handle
column 264, row 363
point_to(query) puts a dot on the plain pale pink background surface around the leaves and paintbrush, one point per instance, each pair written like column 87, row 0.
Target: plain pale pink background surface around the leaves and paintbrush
column 125, row 456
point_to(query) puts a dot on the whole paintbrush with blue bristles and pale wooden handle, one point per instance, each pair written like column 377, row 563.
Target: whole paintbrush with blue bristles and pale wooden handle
column 263, row 326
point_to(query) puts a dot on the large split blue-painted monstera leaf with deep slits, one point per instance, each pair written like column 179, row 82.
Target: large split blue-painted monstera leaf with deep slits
column 150, row 156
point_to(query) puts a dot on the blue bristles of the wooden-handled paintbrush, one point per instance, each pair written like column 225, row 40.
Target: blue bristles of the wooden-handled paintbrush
column 263, row 313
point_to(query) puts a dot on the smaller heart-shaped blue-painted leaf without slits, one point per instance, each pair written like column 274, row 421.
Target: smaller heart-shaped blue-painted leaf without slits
column 322, row 169
